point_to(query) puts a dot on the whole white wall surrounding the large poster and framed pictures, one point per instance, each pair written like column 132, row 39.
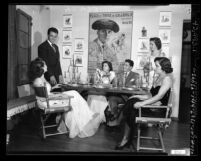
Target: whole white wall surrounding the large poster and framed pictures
column 147, row 16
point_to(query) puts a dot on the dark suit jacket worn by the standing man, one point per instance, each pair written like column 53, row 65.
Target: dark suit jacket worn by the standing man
column 47, row 53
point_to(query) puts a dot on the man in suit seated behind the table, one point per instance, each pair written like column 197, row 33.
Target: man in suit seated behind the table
column 131, row 78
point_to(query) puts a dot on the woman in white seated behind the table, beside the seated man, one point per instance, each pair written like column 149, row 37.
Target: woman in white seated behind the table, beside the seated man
column 97, row 101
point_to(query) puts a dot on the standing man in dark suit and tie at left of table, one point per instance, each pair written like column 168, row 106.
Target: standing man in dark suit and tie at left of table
column 49, row 52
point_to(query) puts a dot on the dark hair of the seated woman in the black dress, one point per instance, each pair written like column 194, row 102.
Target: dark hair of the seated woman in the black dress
column 165, row 64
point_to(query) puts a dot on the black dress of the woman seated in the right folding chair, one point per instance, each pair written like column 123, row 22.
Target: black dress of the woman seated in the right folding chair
column 130, row 113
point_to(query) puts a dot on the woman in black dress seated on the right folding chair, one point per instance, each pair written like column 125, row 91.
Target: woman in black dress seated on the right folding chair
column 159, row 94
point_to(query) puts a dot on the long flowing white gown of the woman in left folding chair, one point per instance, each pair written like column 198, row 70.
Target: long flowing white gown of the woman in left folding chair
column 81, row 121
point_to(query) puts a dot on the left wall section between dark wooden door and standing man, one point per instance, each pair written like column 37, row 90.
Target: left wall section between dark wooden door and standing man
column 41, row 21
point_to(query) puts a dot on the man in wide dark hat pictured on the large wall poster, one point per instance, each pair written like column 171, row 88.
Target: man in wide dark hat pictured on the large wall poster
column 98, row 48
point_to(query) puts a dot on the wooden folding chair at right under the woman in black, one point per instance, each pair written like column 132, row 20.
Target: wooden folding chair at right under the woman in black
column 159, row 124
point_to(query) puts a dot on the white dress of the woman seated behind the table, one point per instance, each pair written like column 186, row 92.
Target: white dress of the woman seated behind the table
column 98, row 103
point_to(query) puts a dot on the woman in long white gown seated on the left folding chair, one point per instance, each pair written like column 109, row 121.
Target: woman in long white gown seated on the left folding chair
column 81, row 121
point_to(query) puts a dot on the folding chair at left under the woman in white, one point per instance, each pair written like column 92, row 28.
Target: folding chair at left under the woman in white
column 46, row 112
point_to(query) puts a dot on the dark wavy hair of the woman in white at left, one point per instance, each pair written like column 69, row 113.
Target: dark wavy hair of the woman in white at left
column 36, row 69
